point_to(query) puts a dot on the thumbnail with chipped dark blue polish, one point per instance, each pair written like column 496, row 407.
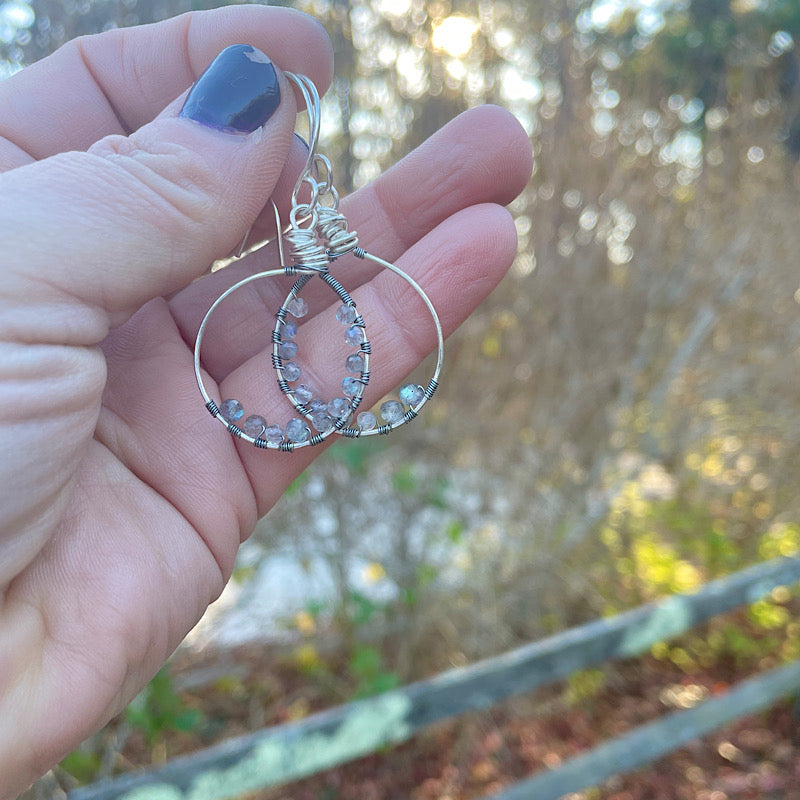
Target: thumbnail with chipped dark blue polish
column 238, row 92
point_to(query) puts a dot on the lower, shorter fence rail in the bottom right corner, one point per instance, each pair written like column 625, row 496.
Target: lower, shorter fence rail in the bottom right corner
column 649, row 742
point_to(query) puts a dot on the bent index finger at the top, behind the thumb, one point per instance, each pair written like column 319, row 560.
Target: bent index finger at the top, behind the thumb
column 115, row 82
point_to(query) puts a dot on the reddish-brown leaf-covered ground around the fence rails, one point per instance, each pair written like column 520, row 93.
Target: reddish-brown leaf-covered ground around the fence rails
column 479, row 754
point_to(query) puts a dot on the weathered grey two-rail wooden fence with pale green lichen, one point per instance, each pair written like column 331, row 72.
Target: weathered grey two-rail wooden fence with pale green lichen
column 277, row 755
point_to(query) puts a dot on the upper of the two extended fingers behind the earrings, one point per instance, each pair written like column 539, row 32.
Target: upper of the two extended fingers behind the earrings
column 482, row 156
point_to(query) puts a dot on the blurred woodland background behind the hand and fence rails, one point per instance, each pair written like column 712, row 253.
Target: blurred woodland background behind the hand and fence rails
column 618, row 422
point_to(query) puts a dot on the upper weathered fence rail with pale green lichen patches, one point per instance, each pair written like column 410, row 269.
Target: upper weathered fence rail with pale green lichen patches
column 277, row 755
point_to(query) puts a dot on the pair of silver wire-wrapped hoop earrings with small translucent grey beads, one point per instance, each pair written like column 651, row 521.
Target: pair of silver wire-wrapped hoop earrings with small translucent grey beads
column 318, row 234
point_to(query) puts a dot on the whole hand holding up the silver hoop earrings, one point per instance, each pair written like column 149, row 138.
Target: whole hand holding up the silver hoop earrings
column 122, row 503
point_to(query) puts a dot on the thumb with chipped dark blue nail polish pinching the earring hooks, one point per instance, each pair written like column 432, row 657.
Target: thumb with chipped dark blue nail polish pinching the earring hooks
column 140, row 216
